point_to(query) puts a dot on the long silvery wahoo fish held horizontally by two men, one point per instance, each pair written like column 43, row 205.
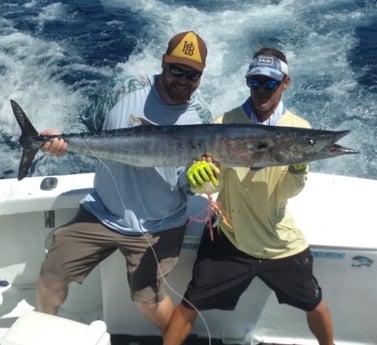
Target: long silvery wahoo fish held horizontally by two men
column 238, row 145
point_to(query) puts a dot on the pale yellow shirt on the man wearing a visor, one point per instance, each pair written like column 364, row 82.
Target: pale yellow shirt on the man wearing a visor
column 255, row 201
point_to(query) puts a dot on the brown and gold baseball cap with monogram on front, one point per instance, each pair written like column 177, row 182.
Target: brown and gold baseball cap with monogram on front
column 187, row 48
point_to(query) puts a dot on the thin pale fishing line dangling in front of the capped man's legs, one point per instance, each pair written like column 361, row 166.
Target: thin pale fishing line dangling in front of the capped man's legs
column 156, row 257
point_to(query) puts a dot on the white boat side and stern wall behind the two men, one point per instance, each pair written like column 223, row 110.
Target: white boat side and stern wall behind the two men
column 335, row 213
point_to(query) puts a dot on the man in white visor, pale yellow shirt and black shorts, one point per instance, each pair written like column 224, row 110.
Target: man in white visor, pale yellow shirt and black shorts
column 259, row 237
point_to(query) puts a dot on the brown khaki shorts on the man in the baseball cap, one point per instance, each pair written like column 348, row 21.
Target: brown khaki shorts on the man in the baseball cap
column 77, row 247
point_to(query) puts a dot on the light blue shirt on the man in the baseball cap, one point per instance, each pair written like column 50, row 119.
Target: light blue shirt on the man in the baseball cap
column 130, row 199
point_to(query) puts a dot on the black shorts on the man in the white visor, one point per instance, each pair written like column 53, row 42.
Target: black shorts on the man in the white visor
column 222, row 273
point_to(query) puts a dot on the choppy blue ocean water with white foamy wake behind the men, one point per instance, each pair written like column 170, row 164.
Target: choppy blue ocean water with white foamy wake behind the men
column 53, row 55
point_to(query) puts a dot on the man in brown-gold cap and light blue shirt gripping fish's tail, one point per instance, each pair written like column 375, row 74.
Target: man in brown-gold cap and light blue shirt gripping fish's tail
column 132, row 209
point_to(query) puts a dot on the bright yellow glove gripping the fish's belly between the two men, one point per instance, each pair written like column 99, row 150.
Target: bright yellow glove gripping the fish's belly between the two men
column 202, row 173
